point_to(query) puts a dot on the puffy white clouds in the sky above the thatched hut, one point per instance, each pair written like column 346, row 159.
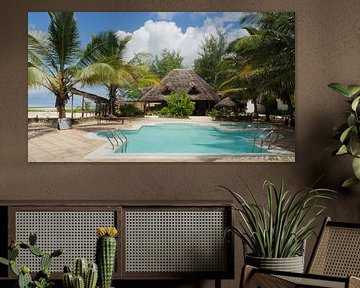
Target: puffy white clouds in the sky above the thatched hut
column 155, row 36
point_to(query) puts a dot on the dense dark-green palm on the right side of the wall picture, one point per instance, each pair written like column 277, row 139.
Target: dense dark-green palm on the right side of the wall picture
column 266, row 58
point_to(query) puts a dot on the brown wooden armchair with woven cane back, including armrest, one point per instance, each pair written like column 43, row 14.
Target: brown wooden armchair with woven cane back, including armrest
column 334, row 263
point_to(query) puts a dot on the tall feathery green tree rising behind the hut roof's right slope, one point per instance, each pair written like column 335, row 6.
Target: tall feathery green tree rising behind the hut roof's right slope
column 208, row 64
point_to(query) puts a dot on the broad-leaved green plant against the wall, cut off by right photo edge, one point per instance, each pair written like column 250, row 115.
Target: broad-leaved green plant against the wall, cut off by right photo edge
column 349, row 132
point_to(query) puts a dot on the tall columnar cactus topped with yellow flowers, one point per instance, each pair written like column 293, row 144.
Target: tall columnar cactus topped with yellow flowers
column 106, row 254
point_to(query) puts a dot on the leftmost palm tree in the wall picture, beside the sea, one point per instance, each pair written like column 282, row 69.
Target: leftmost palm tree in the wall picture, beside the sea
column 52, row 57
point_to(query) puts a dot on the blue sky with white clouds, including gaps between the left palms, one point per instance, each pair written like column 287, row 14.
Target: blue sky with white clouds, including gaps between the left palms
column 150, row 31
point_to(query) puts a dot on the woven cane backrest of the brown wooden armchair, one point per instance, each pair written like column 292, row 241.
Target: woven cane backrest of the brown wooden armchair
column 337, row 251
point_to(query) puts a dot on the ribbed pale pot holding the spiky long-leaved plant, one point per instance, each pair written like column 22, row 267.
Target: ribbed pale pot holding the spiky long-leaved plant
column 291, row 264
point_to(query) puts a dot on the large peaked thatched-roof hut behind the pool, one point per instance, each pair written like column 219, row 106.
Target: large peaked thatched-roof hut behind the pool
column 204, row 95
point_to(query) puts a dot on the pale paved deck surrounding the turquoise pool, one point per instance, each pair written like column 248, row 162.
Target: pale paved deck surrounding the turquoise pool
column 46, row 144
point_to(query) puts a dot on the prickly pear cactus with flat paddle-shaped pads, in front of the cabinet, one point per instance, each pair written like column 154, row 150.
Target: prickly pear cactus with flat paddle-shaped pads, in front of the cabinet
column 42, row 278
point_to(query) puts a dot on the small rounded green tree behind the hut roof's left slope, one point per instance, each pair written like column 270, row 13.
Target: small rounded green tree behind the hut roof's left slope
column 167, row 61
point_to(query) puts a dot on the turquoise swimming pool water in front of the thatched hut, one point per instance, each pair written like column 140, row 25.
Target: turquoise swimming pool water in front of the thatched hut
column 185, row 138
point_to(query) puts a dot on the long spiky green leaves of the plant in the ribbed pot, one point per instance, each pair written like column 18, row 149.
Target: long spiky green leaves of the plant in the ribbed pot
column 279, row 229
